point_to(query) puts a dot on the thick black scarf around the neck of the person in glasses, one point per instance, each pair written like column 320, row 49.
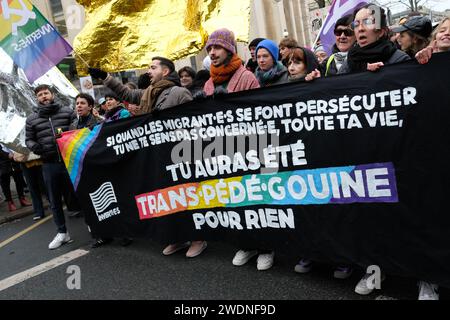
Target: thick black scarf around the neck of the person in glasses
column 379, row 51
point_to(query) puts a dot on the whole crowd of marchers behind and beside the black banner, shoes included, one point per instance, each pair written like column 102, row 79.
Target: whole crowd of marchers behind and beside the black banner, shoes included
column 364, row 42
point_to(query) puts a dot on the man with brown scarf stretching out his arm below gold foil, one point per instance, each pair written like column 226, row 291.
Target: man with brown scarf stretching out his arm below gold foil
column 164, row 92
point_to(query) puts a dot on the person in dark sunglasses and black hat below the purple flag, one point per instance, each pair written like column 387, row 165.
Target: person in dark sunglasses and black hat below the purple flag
column 345, row 39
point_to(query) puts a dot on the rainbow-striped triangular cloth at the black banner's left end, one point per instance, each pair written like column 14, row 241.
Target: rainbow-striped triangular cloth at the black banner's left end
column 73, row 146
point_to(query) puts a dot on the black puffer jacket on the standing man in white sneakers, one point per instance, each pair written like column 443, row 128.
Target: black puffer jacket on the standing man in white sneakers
column 41, row 127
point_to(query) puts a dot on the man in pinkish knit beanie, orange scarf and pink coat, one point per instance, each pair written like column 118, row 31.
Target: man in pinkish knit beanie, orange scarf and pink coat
column 227, row 74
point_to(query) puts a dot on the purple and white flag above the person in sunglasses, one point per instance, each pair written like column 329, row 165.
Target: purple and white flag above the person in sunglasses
column 338, row 9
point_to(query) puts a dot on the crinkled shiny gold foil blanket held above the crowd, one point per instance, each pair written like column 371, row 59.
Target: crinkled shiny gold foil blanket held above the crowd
column 125, row 34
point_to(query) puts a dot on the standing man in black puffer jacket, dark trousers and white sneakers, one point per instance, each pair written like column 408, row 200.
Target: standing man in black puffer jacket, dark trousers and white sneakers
column 42, row 128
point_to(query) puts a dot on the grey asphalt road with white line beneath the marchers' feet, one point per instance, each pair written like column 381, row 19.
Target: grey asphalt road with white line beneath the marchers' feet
column 140, row 271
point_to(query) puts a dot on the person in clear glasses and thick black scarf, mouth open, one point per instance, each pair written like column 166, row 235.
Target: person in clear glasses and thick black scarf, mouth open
column 373, row 48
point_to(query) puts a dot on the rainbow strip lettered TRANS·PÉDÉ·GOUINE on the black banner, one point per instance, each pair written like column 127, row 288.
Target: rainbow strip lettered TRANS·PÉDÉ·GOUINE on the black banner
column 366, row 183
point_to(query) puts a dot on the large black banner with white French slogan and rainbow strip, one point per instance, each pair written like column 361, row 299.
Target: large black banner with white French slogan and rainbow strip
column 351, row 169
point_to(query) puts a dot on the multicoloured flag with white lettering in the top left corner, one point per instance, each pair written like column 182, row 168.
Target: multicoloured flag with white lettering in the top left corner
column 31, row 41
